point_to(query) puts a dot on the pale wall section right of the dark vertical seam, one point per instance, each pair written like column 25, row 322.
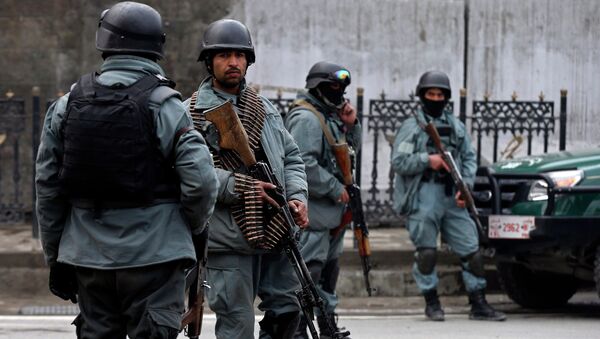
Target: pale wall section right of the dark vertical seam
column 542, row 45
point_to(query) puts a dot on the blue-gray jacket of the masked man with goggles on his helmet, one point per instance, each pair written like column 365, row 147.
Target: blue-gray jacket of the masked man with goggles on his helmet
column 325, row 182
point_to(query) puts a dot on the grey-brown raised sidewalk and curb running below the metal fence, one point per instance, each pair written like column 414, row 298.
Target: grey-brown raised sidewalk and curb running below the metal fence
column 24, row 276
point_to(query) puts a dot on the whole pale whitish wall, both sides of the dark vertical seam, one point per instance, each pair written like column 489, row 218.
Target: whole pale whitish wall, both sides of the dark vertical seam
column 513, row 45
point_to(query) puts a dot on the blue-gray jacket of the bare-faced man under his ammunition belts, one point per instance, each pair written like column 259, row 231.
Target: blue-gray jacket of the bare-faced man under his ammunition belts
column 283, row 156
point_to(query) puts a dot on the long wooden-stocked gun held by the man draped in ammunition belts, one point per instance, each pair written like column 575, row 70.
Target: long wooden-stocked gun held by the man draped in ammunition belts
column 232, row 136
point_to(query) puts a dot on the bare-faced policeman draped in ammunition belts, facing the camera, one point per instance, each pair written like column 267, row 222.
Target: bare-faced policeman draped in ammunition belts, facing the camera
column 239, row 268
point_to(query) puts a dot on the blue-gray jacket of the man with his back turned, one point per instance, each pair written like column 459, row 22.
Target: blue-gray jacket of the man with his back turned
column 128, row 237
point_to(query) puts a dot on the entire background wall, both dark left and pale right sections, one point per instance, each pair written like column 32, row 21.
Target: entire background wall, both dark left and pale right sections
column 512, row 45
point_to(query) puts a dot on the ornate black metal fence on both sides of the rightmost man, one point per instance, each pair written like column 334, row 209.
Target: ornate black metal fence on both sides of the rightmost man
column 522, row 119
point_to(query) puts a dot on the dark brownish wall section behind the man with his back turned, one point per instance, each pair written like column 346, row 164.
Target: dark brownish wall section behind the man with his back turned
column 51, row 43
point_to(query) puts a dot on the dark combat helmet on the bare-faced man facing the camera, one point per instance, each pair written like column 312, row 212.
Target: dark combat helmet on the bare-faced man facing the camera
column 226, row 34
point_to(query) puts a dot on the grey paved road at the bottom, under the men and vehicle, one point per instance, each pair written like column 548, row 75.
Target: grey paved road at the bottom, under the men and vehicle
column 400, row 318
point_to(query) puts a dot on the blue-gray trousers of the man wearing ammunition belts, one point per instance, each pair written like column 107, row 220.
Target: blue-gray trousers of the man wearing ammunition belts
column 236, row 280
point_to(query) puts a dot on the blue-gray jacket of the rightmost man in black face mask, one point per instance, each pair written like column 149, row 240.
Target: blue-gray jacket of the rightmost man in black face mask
column 410, row 158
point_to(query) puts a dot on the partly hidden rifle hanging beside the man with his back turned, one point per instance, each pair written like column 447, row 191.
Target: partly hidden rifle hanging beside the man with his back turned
column 195, row 280
